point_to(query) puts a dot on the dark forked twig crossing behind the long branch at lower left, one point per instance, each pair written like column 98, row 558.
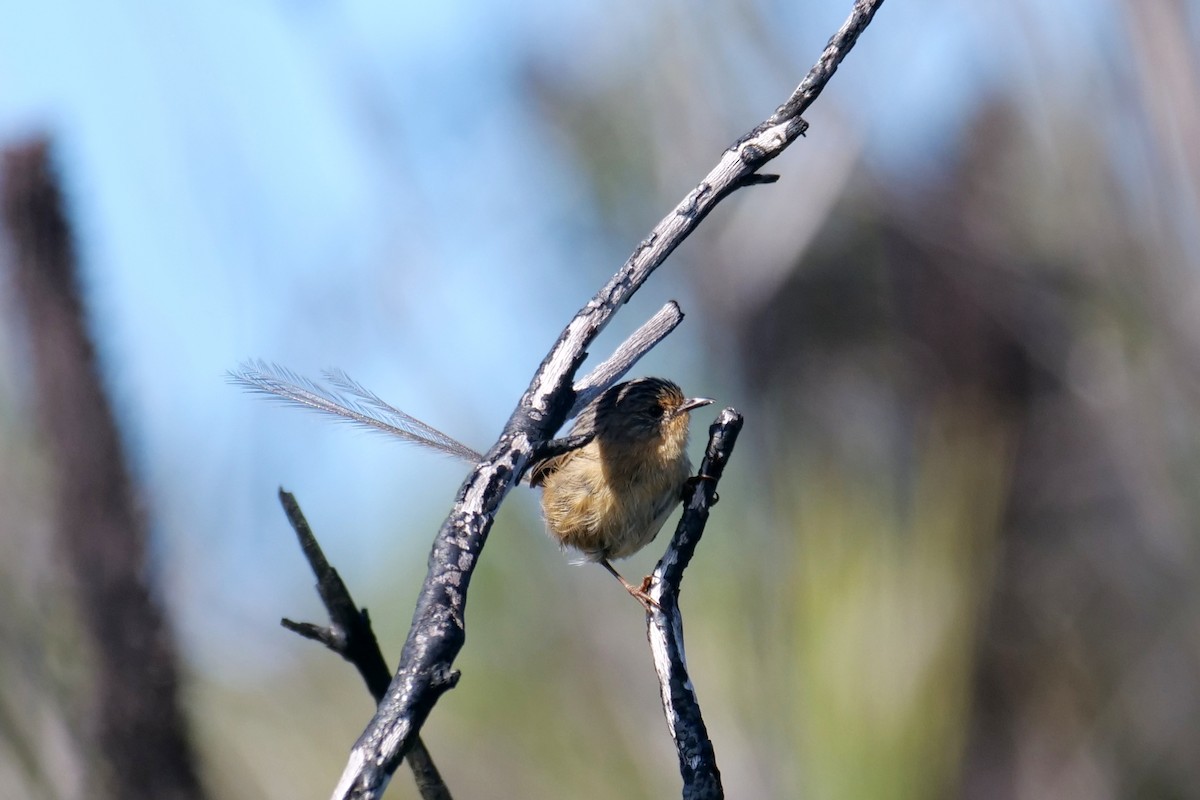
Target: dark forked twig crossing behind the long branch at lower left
column 351, row 636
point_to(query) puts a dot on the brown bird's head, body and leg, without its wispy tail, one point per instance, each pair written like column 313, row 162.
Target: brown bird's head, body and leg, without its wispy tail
column 610, row 498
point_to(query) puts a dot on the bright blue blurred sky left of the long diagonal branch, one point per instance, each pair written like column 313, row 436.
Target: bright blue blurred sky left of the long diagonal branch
column 313, row 184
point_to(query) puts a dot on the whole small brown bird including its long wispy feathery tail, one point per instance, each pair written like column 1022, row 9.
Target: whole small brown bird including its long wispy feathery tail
column 607, row 500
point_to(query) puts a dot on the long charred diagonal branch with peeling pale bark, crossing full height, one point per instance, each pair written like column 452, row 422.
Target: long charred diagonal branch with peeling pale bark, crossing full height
column 439, row 629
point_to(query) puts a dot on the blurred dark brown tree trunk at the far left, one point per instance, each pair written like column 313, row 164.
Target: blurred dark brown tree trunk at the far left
column 139, row 727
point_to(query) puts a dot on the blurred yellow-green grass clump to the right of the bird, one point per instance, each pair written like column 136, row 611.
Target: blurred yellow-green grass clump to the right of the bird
column 867, row 623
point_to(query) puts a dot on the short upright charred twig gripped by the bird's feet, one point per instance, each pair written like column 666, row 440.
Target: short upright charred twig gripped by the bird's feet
column 698, row 761
